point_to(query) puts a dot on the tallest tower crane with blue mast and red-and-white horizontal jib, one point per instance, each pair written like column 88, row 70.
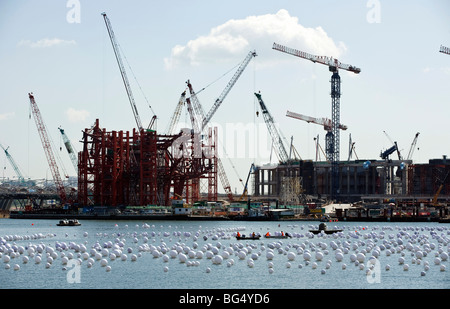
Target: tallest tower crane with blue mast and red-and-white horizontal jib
column 333, row 151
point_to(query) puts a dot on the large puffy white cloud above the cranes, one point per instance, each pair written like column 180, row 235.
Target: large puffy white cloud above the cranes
column 237, row 37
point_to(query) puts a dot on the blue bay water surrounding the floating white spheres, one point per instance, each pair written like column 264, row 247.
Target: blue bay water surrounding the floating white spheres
column 147, row 272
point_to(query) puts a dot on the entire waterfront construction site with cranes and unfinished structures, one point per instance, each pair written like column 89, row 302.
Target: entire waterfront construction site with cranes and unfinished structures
column 143, row 167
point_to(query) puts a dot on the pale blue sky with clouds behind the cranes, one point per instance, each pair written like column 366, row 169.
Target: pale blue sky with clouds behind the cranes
column 60, row 50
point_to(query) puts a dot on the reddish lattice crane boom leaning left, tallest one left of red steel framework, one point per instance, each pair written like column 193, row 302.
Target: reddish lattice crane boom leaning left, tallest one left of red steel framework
column 47, row 149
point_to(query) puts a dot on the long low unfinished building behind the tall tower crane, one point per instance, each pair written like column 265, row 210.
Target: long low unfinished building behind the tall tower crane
column 358, row 180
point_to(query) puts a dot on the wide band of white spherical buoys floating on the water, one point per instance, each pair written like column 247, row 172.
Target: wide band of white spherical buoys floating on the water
column 356, row 245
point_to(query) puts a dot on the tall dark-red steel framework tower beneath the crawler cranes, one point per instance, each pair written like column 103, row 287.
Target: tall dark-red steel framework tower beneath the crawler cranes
column 117, row 168
